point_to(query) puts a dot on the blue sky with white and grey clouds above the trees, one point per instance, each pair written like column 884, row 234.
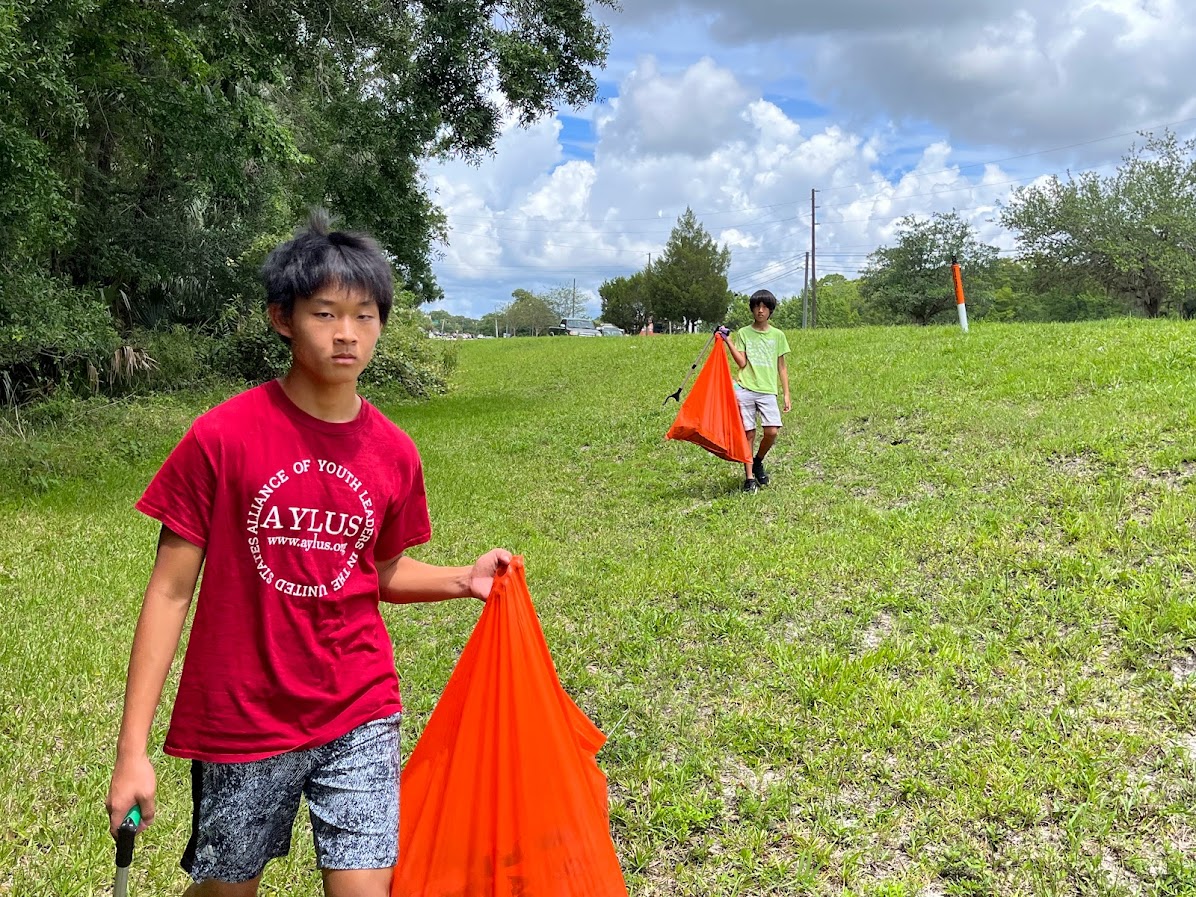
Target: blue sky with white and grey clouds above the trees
column 739, row 111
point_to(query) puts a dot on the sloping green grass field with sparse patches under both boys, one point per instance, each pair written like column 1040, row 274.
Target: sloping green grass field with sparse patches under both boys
column 950, row 651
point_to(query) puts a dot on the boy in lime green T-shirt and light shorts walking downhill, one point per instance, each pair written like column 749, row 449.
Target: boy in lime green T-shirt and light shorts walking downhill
column 760, row 351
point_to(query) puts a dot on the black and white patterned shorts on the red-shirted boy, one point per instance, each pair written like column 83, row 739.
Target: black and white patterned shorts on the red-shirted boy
column 243, row 813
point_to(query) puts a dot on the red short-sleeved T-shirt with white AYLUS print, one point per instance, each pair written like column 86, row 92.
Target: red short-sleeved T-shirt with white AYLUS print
column 288, row 649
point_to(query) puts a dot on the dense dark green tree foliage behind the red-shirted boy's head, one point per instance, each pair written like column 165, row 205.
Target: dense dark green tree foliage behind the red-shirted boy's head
column 151, row 152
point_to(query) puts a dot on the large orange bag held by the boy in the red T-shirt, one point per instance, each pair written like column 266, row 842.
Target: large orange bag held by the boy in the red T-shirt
column 503, row 796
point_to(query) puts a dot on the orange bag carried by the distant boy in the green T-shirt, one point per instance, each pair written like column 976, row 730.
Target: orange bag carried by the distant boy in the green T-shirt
column 710, row 416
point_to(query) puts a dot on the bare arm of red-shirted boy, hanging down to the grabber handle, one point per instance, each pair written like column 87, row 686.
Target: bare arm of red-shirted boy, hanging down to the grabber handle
column 160, row 627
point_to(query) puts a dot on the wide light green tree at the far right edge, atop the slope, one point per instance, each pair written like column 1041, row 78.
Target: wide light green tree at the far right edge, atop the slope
column 1133, row 234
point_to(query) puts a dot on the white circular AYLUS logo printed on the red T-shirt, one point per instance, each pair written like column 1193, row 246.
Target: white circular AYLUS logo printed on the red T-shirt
column 341, row 530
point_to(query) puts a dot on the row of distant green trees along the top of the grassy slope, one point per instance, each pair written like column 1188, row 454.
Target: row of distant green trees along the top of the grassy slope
column 1089, row 247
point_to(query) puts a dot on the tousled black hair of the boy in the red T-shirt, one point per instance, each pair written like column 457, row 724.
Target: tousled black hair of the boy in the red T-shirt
column 319, row 257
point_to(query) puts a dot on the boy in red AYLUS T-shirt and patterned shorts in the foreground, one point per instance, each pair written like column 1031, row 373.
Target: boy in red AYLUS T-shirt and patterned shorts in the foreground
column 298, row 499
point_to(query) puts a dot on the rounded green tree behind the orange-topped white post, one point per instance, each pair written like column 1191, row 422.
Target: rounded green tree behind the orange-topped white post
column 911, row 282
